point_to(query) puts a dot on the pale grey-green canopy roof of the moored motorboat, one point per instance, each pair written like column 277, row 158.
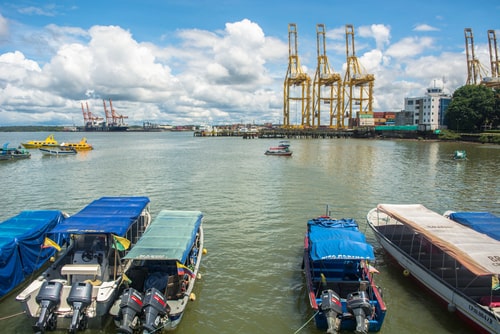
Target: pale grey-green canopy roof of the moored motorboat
column 169, row 237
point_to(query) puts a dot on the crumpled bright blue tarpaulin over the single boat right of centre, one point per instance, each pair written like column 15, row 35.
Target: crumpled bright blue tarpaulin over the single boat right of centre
column 331, row 239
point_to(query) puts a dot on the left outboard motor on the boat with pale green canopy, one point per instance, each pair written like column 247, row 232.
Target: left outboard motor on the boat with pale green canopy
column 130, row 311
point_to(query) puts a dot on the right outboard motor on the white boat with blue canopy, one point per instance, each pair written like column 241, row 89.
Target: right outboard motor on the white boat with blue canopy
column 80, row 297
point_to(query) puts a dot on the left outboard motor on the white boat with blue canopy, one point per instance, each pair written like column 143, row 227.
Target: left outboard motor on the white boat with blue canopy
column 49, row 298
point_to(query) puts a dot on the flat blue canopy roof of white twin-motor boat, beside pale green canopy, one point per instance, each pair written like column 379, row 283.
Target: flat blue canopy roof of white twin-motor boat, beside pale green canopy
column 105, row 215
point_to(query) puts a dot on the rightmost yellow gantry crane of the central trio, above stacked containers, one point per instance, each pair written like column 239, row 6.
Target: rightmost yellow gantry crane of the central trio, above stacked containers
column 357, row 86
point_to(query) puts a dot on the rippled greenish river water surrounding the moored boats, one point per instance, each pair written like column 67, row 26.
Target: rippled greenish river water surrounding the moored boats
column 256, row 208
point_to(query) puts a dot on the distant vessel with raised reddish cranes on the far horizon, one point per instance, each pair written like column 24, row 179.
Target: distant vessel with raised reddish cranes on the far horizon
column 113, row 122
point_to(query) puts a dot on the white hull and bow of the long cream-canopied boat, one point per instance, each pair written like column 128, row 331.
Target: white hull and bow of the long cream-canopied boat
column 477, row 316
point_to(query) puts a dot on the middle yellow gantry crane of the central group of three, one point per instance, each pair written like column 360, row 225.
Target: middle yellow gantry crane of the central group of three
column 326, row 86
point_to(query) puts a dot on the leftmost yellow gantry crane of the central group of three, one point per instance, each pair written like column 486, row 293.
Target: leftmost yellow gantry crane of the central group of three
column 296, row 78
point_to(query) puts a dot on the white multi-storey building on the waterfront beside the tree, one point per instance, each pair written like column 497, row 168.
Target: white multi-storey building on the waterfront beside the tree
column 428, row 111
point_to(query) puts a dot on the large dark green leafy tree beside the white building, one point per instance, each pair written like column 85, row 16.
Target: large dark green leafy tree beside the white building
column 473, row 109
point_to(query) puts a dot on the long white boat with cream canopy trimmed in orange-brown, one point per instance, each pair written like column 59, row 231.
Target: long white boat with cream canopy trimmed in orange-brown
column 457, row 264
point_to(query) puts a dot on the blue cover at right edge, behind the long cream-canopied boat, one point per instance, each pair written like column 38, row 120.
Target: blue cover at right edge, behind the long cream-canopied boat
column 483, row 222
